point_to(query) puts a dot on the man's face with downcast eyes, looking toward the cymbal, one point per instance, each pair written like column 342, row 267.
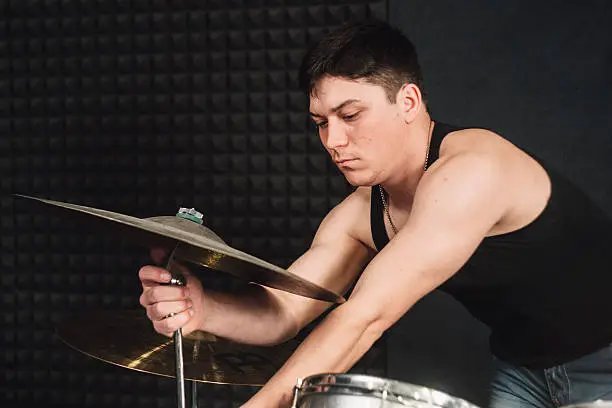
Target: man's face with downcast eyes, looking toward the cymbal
column 359, row 127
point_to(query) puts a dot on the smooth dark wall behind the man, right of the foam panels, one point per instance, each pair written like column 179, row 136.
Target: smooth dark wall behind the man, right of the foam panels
column 540, row 74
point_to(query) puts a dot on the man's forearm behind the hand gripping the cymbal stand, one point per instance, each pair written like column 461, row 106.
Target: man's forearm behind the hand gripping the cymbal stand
column 252, row 316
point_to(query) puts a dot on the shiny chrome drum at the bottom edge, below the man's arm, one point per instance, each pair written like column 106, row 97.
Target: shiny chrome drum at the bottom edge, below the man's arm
column 364, row 391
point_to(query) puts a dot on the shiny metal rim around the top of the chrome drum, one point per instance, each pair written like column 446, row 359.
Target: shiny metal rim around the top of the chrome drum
column 396, row 389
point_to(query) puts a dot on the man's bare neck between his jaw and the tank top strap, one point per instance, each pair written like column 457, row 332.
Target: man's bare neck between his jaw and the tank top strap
column 402, row 184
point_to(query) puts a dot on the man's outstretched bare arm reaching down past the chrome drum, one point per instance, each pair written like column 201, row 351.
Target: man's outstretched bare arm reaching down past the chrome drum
column 454, row 208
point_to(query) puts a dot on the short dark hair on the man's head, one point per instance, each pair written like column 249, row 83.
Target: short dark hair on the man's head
column 371, row 50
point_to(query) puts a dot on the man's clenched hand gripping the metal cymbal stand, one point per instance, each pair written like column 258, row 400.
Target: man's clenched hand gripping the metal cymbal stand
column 171, row 307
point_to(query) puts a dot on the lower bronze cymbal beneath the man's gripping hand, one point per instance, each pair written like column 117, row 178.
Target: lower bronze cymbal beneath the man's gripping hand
column 127, row 339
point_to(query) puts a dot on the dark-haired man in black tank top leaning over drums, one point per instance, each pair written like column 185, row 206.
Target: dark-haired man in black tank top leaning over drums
column 463, row 210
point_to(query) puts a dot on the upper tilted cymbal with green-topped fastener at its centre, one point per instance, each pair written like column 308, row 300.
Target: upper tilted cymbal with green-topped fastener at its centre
column 197, row 244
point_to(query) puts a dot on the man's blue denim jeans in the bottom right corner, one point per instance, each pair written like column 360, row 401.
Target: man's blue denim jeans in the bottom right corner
column 586, row 379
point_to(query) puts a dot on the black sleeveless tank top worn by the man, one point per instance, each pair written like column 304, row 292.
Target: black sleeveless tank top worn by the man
column 544, row 290
